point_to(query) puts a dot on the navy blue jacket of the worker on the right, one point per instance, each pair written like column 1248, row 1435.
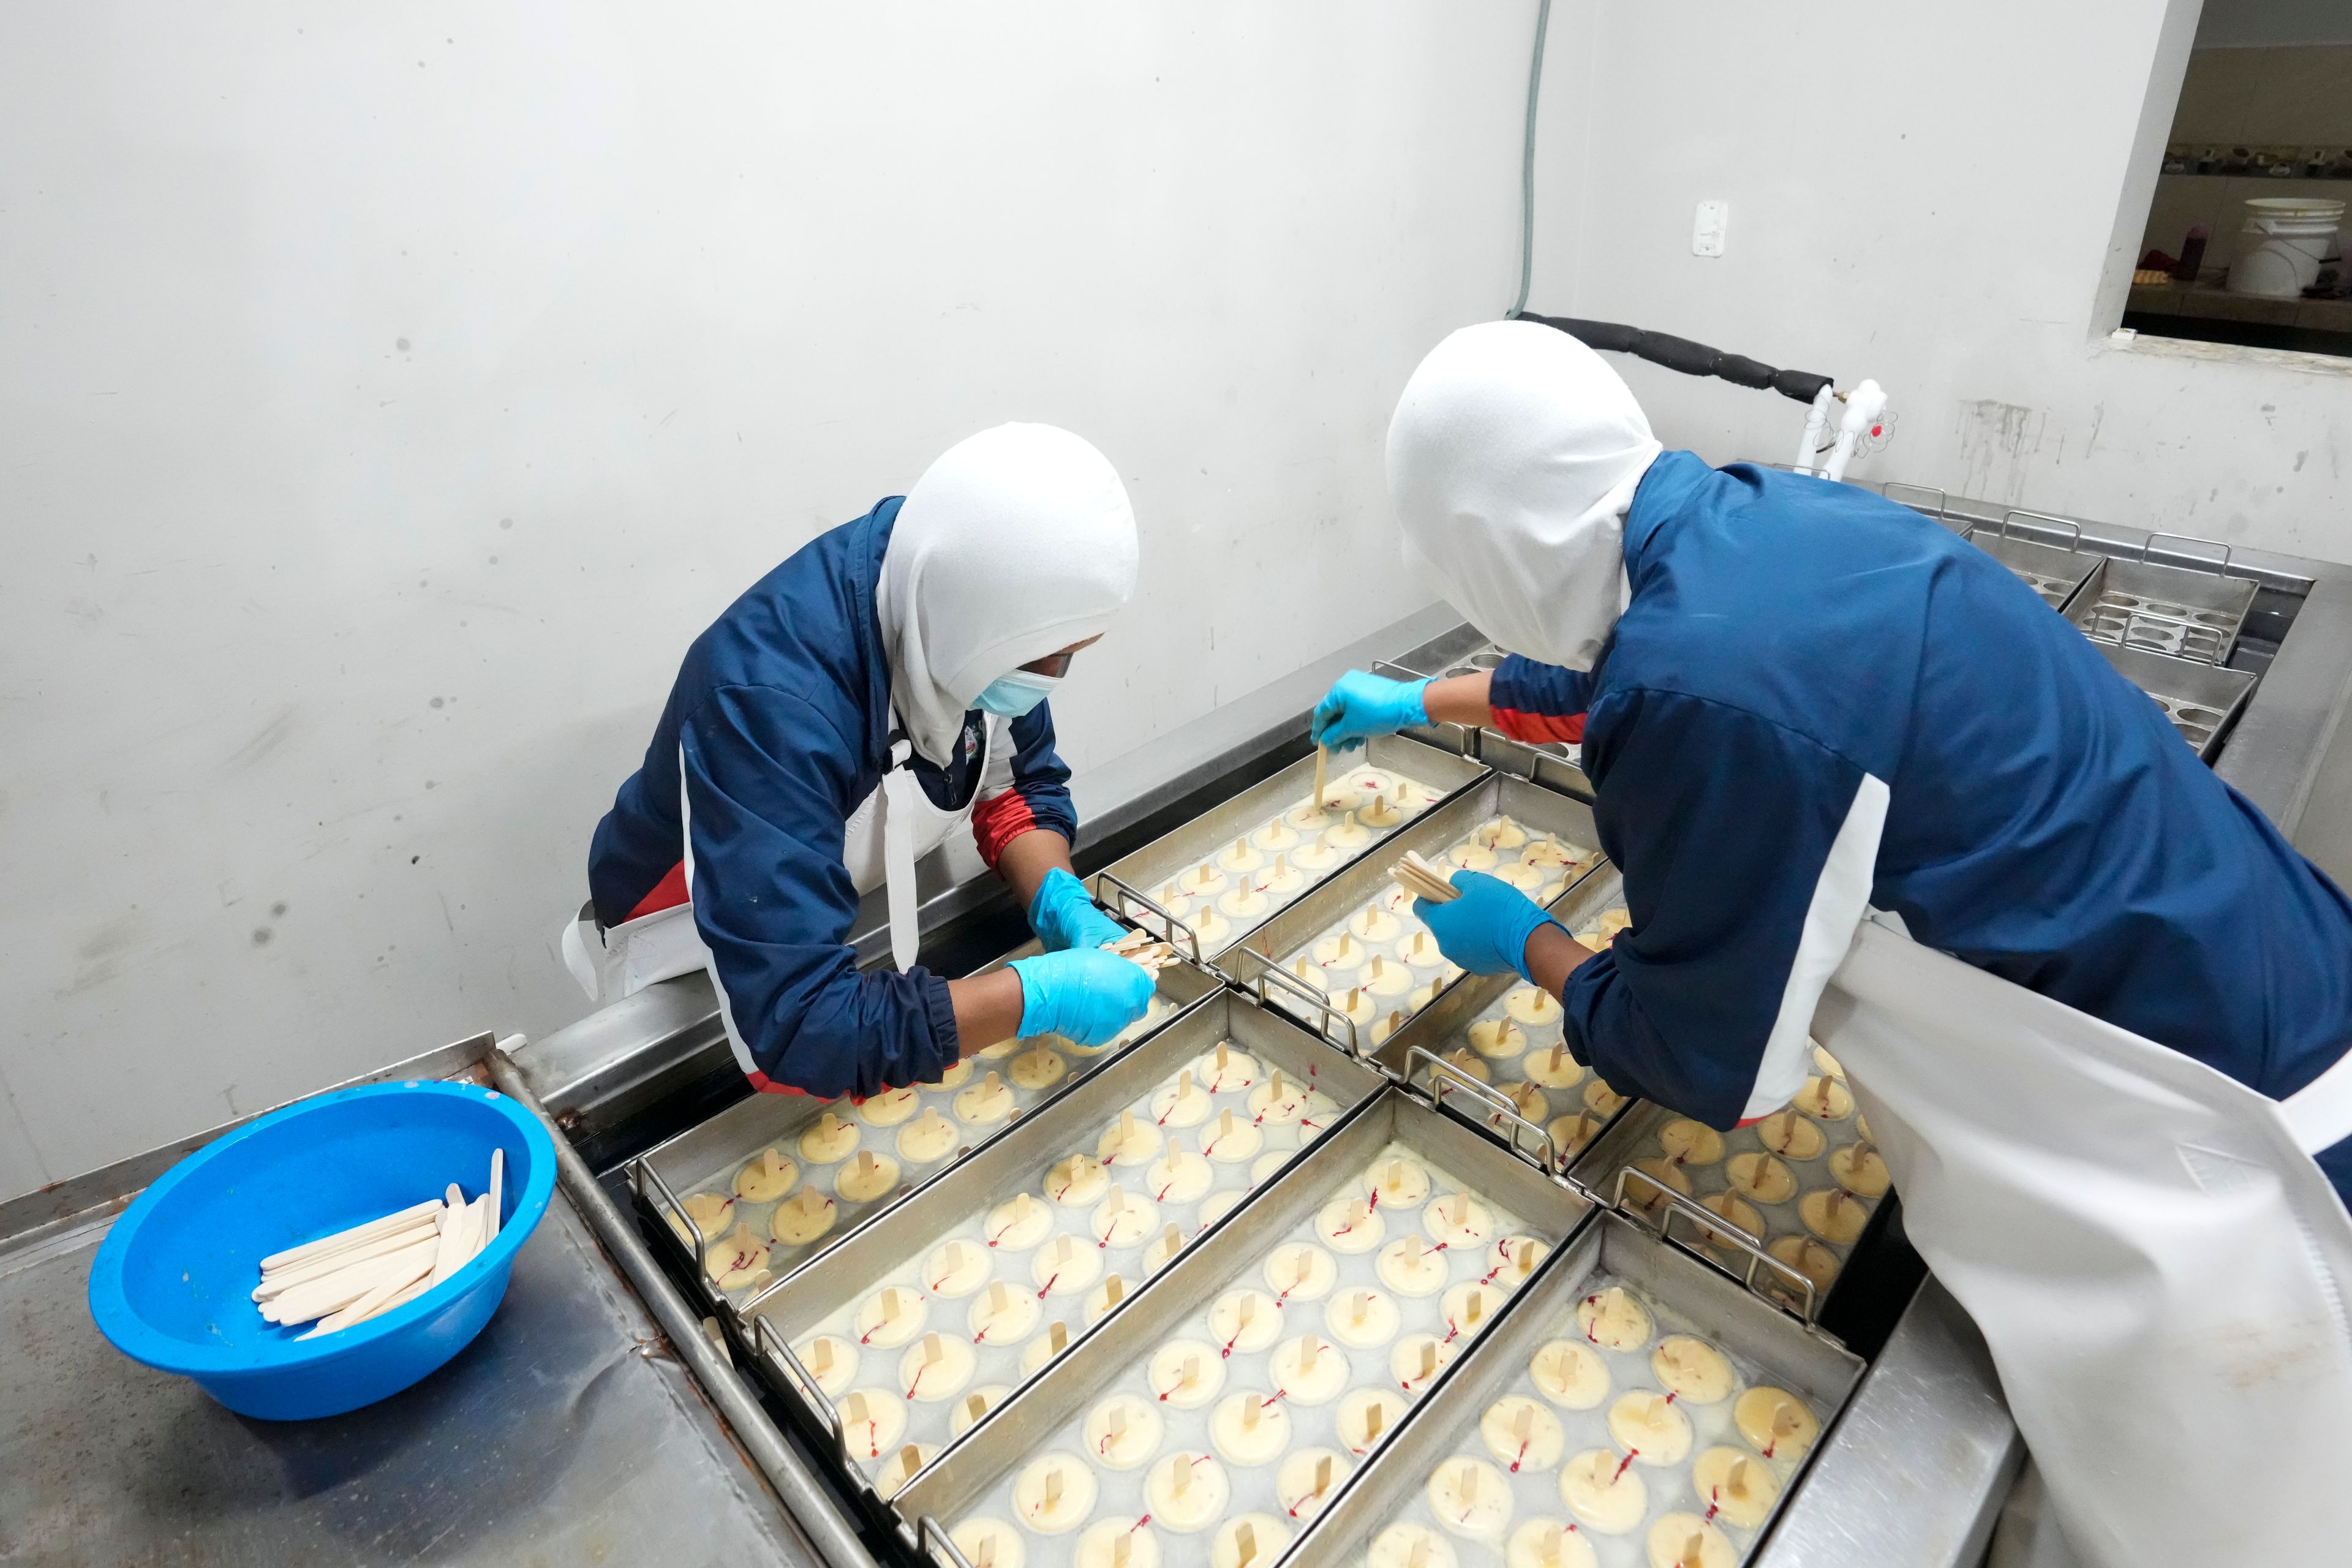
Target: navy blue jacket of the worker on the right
column 1791, row 638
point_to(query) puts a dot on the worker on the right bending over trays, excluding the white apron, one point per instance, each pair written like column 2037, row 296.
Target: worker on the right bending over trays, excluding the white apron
column 1800, row 702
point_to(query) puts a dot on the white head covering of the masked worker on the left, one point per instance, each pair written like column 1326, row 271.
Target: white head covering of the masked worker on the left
column 1015, row 544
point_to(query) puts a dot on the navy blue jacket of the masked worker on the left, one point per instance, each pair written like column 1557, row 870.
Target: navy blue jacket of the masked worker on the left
column 780, row 728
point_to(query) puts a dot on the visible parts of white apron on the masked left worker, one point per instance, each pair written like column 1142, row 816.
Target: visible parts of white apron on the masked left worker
column 890, row 831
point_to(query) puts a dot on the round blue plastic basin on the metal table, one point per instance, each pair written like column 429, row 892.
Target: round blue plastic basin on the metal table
column 173, row 1285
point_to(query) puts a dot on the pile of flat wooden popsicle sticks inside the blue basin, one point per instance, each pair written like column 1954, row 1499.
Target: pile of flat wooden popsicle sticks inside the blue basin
column 387, row 1264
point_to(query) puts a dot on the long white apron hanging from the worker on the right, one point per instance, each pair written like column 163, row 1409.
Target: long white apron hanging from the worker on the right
column 2146, row 1245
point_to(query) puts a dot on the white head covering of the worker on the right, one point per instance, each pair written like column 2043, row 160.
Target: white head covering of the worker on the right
column 1511, row 464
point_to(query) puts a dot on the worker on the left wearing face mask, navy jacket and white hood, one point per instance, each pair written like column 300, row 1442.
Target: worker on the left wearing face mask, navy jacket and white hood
column 857, row 704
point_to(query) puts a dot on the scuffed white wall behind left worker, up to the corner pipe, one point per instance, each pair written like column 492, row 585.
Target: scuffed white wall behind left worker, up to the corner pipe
column 389, row 394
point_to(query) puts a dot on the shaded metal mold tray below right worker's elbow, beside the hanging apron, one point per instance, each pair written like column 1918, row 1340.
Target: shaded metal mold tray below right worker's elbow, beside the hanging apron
column 1803, row 1148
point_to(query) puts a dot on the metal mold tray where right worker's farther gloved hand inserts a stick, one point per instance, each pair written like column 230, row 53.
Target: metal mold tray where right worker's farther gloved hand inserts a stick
column 1208, row 885
